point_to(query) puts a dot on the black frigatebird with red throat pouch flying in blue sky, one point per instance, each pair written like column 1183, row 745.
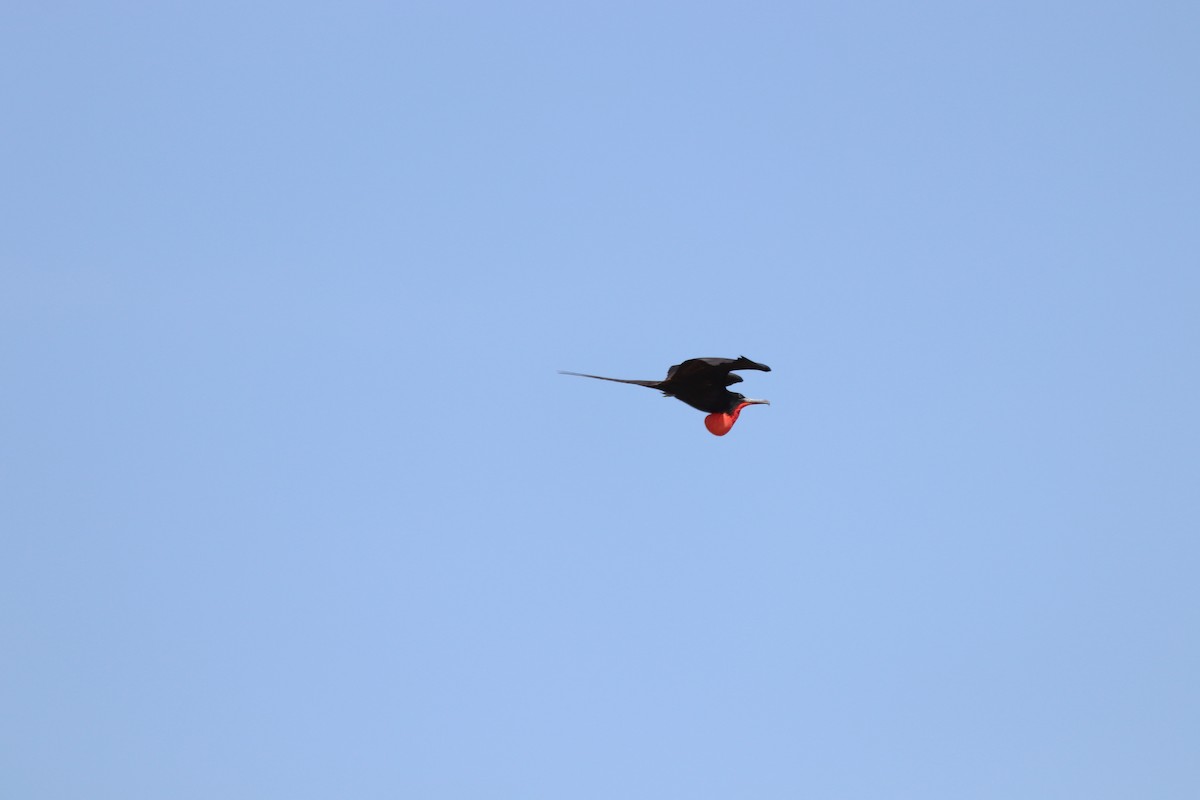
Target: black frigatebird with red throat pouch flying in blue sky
column 703, row 384
